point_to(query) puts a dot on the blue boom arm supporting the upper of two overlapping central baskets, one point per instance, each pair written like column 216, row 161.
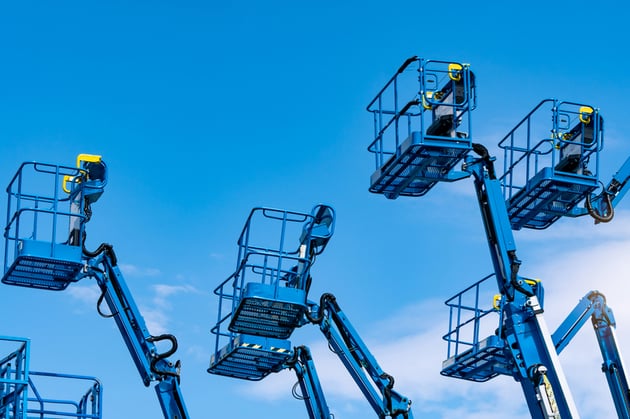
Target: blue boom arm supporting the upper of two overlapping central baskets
column 376, row 385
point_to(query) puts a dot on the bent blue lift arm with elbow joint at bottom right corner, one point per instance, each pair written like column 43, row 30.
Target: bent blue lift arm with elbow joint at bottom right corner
column 593, row 306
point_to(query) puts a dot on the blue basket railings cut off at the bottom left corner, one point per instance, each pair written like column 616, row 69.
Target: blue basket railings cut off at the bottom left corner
column 21, row 389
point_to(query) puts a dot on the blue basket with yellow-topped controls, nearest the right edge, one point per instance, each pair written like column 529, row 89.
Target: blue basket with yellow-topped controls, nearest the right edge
column 550, row 168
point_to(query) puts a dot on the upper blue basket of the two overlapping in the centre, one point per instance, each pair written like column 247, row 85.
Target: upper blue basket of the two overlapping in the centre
column 267, row 294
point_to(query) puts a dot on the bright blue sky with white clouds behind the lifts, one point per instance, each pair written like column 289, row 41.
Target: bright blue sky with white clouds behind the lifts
column 204, row 110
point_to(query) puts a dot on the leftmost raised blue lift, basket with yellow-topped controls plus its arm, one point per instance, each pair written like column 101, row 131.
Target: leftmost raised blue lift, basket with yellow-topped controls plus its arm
column 48, row 208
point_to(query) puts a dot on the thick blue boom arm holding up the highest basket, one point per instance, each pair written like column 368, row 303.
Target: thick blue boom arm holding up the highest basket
column 528, row 340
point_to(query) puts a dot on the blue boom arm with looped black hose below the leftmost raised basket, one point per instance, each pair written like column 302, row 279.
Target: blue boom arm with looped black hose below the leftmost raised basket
column 152, row 365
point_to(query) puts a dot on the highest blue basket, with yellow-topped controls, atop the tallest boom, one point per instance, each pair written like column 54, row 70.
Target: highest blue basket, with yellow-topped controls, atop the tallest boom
column 422, row 126
